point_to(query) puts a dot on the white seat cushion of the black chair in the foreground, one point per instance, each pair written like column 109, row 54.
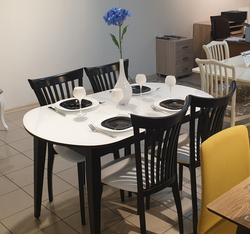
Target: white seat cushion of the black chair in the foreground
column 121, row 173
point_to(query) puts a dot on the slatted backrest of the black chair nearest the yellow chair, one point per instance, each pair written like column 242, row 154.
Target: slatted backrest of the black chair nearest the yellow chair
column 210, row 120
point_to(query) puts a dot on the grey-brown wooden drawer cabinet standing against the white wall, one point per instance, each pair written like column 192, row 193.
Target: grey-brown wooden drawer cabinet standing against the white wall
column 174, row 57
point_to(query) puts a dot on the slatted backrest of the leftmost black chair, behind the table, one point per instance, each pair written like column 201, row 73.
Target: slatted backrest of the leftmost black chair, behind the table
column 54, row 88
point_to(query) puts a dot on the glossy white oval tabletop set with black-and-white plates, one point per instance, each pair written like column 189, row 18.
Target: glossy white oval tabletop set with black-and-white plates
column 73, row 130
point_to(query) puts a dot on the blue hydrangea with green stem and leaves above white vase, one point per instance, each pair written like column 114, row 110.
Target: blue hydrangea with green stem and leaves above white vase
column 116, row 16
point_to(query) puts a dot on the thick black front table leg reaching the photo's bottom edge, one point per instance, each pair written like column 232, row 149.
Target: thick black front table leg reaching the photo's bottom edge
column 93, row 171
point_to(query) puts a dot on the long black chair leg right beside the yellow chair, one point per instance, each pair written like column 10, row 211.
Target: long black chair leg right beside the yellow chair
column 194, row 199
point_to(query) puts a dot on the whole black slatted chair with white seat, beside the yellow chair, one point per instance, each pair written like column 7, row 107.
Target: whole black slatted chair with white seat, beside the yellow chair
column 210, row 121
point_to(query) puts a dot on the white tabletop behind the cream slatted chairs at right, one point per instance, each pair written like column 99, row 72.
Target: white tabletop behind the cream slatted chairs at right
column 242, row 72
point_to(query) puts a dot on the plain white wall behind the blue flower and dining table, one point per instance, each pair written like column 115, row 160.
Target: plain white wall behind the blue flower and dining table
column 45, row 37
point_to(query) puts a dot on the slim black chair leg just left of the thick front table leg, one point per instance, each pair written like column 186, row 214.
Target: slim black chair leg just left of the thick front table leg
column 81, row 182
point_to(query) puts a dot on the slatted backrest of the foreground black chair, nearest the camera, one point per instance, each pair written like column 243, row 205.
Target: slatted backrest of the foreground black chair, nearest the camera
column 161, row 136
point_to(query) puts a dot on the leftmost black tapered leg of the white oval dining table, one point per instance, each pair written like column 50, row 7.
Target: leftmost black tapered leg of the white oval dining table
column 39, row 161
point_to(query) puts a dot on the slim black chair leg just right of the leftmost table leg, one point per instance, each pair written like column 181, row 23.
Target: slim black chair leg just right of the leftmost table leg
column 51, row 157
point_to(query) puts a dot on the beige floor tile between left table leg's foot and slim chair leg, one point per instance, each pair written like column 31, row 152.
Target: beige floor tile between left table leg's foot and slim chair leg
column 65, row 204
